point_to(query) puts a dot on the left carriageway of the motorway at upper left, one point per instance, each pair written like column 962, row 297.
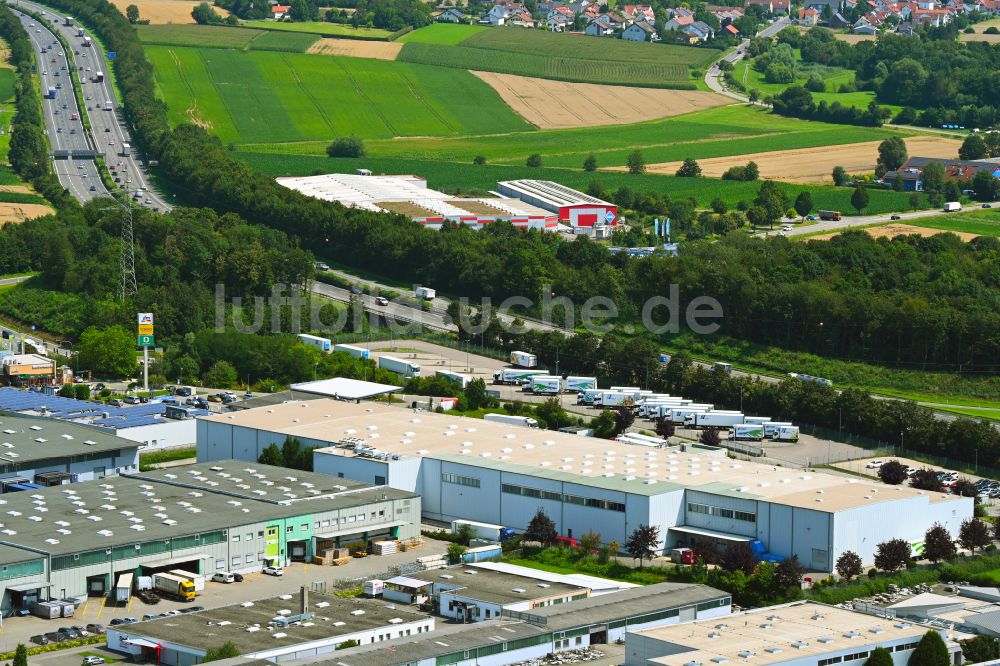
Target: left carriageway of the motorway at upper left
column 62, row 116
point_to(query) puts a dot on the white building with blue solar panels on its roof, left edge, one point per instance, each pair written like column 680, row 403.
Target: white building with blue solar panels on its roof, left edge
column 154, row 425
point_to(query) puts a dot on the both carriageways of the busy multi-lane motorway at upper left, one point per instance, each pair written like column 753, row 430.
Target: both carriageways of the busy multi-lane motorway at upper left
column 108, row 131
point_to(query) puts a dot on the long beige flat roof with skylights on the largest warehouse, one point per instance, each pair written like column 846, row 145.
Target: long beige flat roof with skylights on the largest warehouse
column 395, row 429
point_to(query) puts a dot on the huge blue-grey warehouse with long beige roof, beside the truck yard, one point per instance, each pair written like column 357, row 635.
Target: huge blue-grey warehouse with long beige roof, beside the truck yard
column 500, row 474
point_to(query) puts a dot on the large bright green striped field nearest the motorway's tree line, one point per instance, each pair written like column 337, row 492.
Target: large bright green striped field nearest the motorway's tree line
column 260, row 96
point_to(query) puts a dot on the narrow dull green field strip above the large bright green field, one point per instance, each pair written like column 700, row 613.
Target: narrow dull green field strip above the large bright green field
column 226, row 37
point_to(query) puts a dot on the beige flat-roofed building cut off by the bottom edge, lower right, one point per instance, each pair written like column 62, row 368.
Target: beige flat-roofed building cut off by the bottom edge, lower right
column 798, row 634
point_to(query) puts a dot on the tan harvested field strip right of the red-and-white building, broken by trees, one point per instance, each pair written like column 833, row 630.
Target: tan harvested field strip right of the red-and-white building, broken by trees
column 813, row 165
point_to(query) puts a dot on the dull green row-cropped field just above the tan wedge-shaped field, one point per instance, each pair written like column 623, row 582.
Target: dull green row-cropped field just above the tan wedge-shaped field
column 564, row 57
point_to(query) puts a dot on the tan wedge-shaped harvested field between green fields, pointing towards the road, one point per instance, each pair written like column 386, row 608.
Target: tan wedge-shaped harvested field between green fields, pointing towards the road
column 557, row 104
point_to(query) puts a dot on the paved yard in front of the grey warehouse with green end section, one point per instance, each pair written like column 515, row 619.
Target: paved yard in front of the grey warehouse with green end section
column 255, row 586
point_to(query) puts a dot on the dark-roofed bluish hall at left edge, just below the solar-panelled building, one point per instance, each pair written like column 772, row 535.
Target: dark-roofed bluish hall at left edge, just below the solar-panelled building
column 49, row 452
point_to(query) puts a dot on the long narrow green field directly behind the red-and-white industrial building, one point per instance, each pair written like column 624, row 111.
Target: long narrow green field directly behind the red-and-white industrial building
column 455, row 176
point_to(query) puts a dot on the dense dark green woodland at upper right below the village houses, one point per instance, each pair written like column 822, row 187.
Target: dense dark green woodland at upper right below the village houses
column 952, row 81
